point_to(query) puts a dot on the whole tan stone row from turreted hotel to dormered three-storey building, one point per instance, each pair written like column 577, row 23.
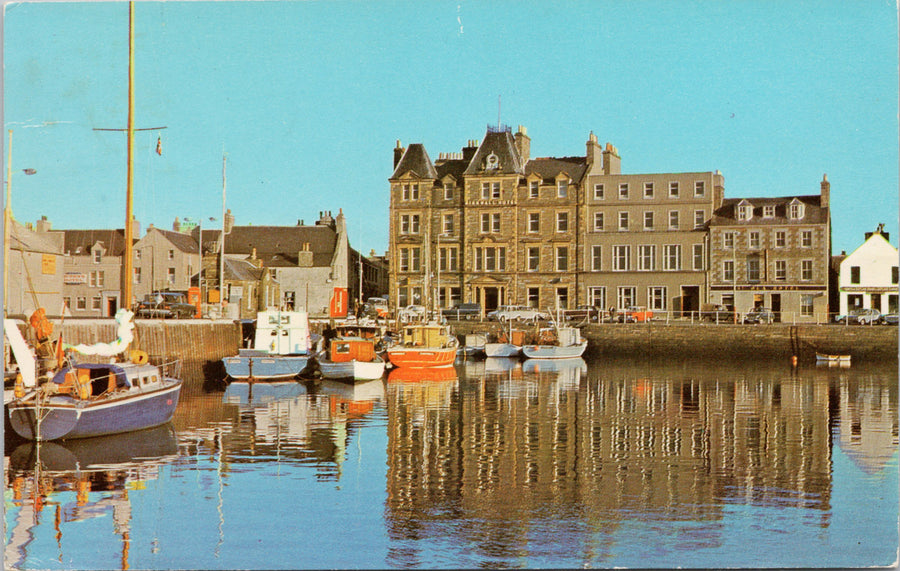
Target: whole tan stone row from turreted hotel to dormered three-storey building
column 493, row 225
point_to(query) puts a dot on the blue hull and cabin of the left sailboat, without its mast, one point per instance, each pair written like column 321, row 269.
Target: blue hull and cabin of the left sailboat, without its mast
column 90, row 399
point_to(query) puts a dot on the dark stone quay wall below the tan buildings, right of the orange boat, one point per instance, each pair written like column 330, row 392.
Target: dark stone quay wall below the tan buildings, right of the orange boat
column 775, row 341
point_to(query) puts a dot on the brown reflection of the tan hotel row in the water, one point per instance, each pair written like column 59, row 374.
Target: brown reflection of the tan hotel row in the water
column 665, row 444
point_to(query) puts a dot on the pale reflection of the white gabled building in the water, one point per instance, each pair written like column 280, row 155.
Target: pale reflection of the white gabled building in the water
column 867, row 422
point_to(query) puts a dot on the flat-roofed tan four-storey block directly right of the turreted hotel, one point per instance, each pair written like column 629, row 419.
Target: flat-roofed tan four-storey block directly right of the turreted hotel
column 644, row 236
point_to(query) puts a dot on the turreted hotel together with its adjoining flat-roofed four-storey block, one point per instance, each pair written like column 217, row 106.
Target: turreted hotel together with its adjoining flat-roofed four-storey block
column 492, row 225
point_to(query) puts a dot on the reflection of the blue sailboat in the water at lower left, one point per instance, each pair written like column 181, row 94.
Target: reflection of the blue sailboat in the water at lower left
column 79, row 480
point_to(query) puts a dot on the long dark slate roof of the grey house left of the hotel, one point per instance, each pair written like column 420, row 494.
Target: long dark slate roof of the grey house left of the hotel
column 278, row 246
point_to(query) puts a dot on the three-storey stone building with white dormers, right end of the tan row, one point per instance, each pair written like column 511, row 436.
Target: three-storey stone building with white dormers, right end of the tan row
column 773, row 252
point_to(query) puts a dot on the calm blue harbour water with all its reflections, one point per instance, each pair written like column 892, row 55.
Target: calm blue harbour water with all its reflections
column 491, row 464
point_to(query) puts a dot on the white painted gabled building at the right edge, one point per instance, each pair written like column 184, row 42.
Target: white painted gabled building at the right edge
column 868, row 277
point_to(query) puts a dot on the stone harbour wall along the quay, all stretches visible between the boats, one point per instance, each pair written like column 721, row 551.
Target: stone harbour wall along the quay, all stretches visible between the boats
column 201, row 344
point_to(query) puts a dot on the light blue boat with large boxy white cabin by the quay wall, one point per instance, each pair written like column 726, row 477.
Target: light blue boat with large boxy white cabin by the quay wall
column 281, row 348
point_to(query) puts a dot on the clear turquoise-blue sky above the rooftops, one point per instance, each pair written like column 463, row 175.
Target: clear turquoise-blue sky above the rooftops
column 308, row 99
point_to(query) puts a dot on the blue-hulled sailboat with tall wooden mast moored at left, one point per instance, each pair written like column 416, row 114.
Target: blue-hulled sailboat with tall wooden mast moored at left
column 83, row 400
